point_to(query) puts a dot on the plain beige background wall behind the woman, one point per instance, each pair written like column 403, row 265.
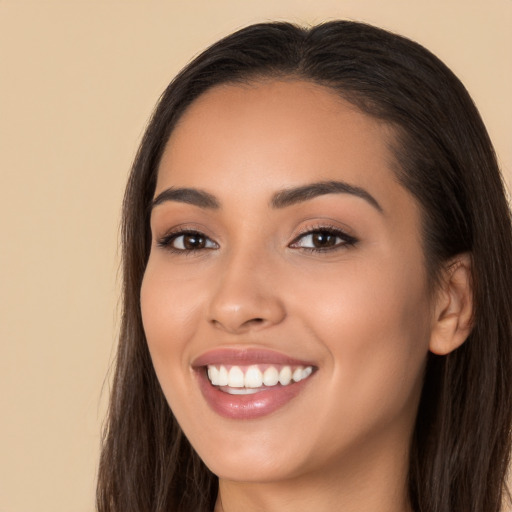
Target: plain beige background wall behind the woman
column 78, row 80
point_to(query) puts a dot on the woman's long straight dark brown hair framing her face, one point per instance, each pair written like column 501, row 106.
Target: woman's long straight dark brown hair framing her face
column 461, row 444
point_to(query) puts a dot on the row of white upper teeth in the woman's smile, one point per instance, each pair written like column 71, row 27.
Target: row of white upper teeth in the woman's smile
column 254, row 377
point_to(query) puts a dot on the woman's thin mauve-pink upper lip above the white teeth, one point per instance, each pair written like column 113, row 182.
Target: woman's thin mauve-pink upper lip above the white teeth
column 246, row 356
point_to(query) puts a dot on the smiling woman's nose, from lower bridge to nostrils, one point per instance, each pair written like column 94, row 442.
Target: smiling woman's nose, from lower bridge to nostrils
column 246, row 296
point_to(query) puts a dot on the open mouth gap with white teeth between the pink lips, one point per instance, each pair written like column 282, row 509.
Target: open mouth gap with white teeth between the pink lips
column 246, row 380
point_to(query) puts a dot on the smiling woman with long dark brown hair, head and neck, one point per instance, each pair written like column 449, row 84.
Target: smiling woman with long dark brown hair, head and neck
column 317, row 265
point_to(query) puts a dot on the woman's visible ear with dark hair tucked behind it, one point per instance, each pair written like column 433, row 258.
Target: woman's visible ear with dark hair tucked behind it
column 453, row 313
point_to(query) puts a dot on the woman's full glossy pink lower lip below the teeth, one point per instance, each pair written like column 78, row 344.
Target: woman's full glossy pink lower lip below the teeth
column 248, row 407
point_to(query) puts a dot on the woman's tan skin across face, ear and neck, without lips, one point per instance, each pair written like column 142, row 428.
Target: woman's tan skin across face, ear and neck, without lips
column 338, row 279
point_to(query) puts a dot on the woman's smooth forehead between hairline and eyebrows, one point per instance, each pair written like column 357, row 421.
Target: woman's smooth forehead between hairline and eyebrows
column 277, row 134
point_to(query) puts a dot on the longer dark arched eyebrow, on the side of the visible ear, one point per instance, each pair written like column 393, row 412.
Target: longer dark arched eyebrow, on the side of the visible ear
column 291, row 196
